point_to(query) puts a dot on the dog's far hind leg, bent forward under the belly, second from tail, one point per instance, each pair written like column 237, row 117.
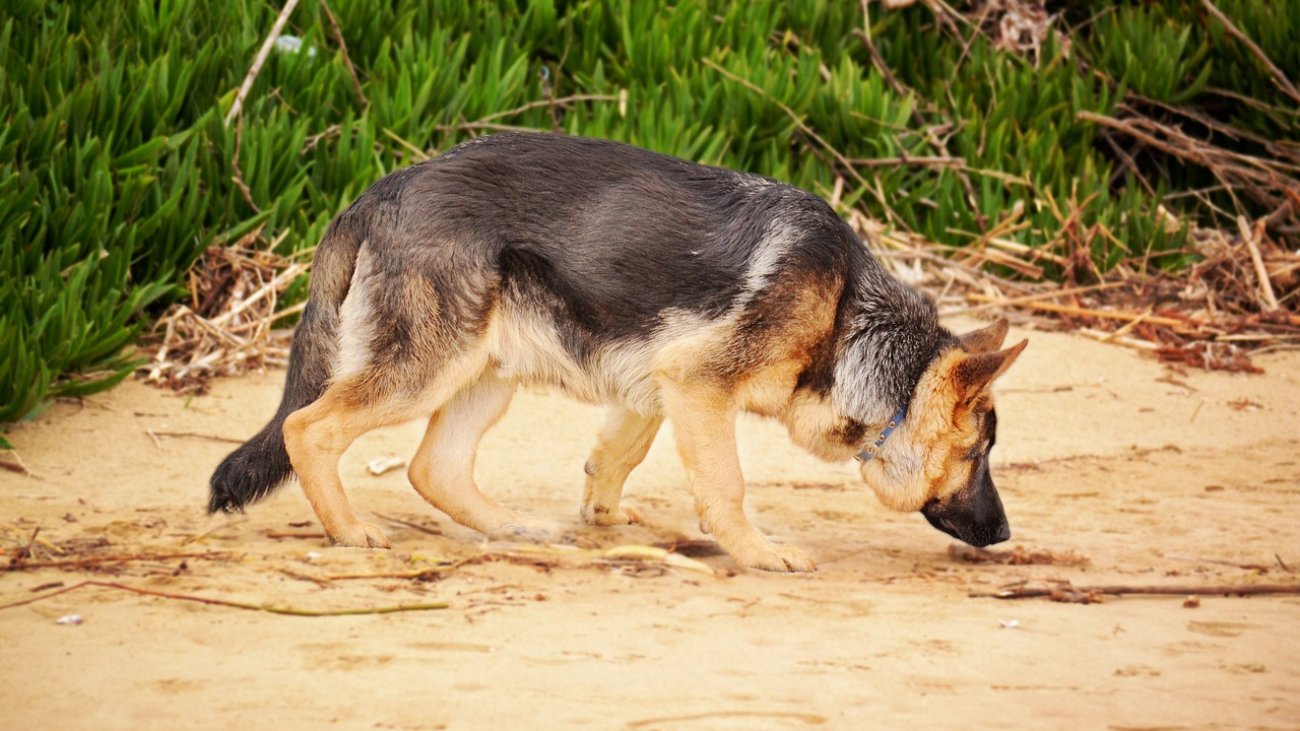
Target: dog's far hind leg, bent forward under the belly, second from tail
column 443, row 470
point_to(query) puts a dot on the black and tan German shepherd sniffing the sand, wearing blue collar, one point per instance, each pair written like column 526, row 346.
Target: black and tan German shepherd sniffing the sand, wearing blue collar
column 661, row 288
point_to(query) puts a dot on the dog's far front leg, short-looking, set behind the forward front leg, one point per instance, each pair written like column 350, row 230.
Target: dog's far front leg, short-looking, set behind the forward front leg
column 622, row 445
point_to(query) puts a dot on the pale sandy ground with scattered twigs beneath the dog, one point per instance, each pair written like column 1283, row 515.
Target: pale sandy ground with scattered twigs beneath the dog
column 1159, row 478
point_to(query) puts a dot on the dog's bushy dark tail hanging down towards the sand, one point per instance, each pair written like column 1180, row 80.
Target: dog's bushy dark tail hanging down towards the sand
column 262, row 464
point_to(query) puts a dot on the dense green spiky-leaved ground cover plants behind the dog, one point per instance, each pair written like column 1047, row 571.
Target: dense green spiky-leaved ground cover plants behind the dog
column 118, row 167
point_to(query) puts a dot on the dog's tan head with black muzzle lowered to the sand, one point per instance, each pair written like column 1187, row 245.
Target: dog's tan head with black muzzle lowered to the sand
column 937, row 462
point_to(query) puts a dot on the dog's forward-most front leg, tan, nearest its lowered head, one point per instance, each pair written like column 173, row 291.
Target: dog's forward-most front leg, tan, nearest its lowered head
column 704, row 422
